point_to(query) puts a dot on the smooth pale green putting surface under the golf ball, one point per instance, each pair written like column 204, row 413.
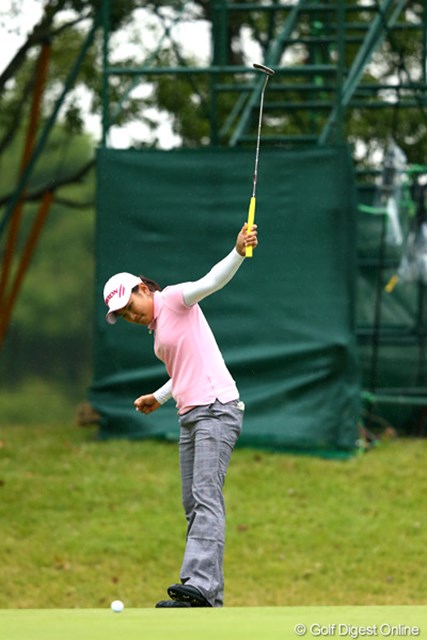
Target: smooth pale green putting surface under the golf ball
column 257, row 623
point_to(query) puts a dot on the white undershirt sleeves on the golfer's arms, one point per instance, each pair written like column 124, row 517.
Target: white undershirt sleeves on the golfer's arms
column 194, row 292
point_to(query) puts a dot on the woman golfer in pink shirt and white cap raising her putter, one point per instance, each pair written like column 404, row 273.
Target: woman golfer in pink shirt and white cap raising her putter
column 209, row 409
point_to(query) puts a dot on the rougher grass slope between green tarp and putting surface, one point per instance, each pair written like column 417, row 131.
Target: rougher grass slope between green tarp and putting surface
column 86, row 522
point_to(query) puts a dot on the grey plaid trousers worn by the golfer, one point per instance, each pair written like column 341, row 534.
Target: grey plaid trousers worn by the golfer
column 207, row 438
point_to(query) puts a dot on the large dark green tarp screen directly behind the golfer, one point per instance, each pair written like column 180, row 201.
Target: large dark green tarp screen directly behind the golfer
column 285, row 324
